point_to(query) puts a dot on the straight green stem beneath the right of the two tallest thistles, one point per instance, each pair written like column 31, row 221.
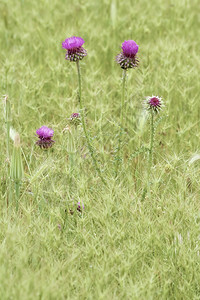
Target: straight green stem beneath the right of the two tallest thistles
column 118, row 156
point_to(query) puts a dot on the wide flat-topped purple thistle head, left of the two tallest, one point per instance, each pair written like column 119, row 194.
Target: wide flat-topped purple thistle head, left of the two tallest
column 74, row 48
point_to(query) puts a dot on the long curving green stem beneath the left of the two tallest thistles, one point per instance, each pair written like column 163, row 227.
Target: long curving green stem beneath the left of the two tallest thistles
column 84, row 126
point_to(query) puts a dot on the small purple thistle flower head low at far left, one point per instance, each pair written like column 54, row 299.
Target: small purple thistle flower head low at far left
column 45, row 134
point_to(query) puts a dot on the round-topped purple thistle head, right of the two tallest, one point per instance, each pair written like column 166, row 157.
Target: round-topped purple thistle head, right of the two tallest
column 127, row 58
